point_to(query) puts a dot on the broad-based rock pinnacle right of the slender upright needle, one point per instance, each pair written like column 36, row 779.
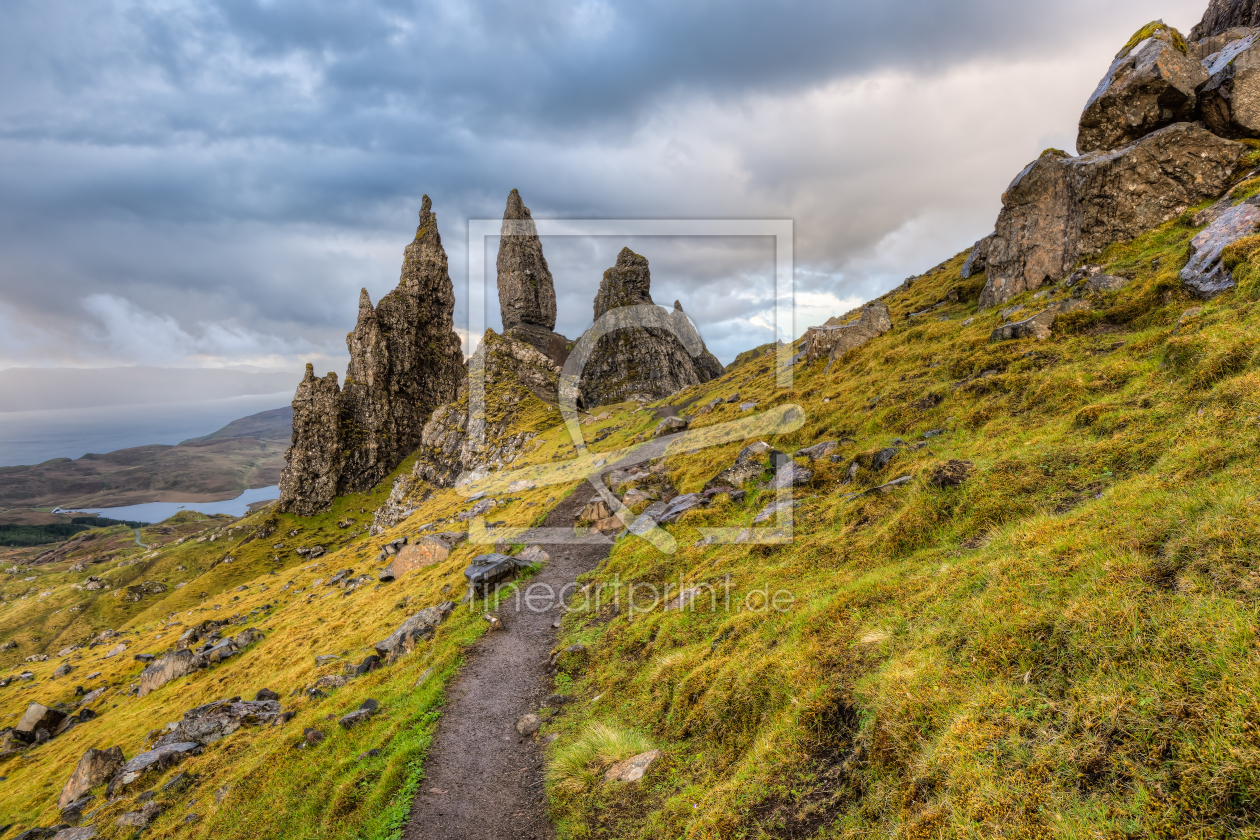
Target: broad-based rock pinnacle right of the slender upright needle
column 628, row 356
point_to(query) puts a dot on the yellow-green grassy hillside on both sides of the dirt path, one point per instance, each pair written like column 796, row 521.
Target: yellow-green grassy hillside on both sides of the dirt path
column 1064, row 645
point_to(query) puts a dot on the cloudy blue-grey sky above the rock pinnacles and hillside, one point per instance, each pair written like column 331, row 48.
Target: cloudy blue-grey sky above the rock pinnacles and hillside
column 209, row 184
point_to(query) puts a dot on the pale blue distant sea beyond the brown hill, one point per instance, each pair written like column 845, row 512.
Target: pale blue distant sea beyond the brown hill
column 38, row 436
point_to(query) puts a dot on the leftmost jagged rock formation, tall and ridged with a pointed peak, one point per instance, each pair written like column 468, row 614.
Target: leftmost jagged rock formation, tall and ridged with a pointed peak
column 405, row 361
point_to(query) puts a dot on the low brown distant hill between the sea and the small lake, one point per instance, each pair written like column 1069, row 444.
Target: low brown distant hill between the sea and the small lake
column 248, row 453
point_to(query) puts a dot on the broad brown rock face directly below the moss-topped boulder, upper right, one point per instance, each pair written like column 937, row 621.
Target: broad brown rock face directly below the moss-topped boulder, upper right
column 1063, row 208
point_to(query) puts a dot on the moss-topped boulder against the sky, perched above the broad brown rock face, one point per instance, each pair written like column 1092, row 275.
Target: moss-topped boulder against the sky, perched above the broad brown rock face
column 1147, row 88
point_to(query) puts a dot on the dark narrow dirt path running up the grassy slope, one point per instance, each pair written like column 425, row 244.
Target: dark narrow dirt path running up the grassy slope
column 483, row 780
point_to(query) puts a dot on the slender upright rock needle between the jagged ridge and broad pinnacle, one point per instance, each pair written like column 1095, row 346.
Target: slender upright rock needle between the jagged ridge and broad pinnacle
column 527, row 295
